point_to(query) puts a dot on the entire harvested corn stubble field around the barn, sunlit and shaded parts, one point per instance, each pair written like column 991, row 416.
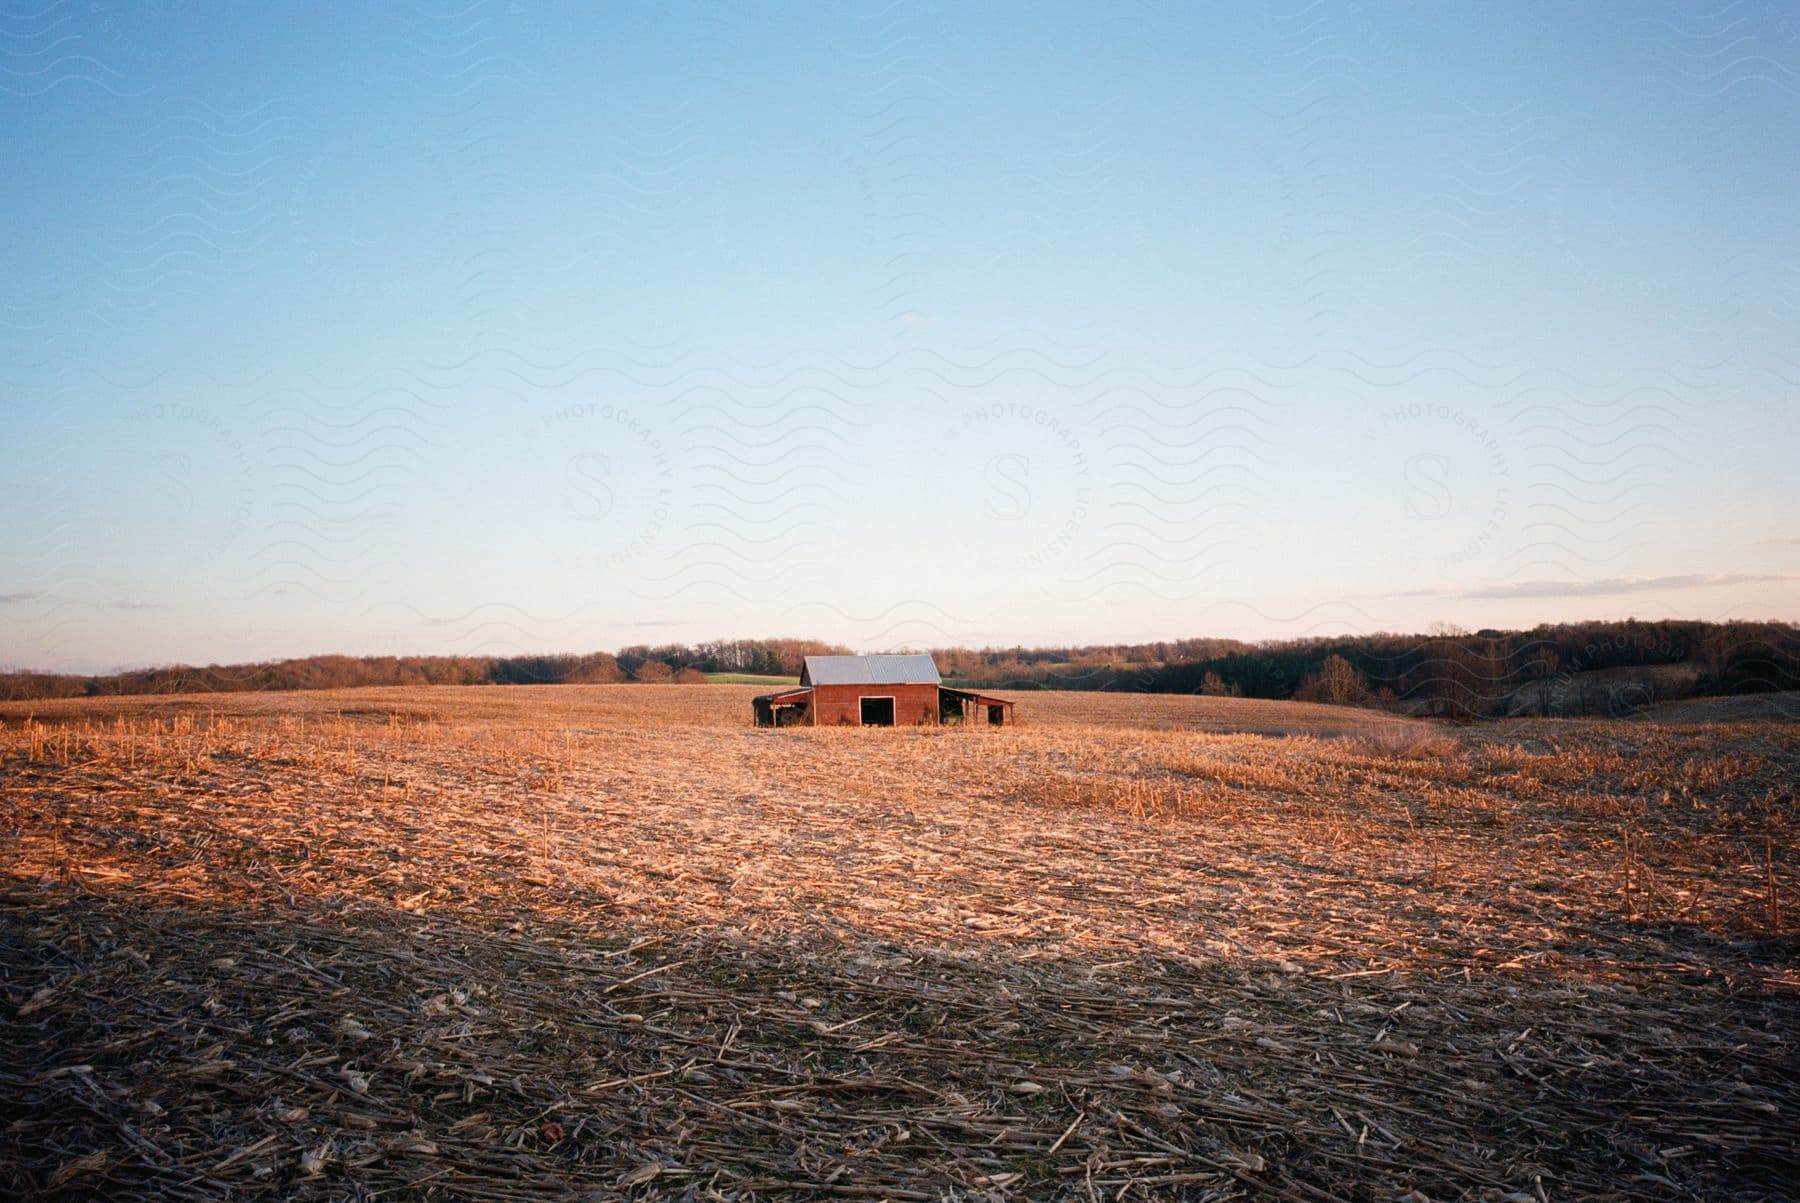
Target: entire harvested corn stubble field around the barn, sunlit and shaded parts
column 613, row 943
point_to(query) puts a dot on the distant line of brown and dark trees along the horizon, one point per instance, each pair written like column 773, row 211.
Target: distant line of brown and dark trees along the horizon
column 1446, row 673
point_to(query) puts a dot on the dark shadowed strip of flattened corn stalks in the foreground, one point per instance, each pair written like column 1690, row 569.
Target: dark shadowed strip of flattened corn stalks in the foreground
column 170, row 1049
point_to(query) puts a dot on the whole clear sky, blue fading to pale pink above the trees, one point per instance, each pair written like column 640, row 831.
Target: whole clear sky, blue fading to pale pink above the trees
column 485, row 329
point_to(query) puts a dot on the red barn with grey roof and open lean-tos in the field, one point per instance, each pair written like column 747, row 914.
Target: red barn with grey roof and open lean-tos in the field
column 876, row 692
